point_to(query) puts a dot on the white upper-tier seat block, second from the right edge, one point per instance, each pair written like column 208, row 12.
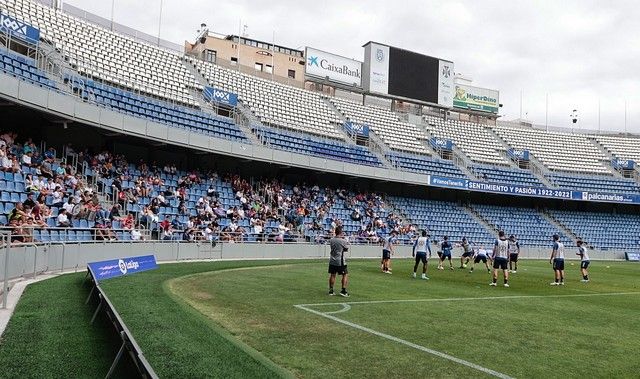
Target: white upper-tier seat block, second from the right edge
column 556, row 150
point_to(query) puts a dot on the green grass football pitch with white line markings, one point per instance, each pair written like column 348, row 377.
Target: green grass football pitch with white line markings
column 275, row 319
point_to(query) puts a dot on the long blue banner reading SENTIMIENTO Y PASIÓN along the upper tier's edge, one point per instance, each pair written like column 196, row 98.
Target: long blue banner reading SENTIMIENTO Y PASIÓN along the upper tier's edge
column 510, row 189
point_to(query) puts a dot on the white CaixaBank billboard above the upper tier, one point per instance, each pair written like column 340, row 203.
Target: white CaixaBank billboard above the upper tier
column 338, row 69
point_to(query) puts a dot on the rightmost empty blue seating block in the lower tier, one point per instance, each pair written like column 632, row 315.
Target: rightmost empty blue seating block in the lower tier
column 603, row 230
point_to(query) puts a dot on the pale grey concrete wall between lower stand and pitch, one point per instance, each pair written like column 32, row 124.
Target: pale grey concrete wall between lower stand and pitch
column 24, row 261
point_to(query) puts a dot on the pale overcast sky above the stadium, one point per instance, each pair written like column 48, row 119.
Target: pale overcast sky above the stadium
column 568, row 54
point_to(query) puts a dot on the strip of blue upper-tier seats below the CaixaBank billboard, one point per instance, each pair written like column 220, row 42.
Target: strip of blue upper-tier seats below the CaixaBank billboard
column 325, row 148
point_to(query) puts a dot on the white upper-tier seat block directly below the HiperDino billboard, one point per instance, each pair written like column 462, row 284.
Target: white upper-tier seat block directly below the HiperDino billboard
column 478, row 143
